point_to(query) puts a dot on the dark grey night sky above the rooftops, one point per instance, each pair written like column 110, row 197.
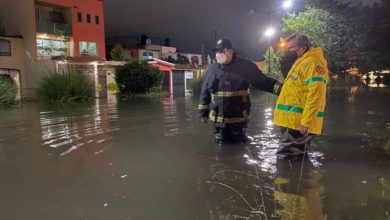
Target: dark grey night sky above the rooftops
column 190, row 23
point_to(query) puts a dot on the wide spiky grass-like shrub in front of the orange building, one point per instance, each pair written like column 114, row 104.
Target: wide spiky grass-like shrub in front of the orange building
column 69, row 86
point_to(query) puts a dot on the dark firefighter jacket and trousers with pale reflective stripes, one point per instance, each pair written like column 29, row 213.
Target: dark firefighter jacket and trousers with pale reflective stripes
column 225, row 97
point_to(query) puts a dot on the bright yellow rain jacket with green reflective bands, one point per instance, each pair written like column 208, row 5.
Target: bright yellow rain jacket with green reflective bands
column 303, row 96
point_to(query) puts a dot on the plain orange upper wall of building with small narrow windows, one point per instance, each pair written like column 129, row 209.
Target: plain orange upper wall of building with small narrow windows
column 90, row 32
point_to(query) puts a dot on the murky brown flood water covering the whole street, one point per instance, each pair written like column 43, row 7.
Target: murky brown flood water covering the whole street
column 152, row 159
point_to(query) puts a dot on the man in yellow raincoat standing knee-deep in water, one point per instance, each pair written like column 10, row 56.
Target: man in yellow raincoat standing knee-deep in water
column 300, row 107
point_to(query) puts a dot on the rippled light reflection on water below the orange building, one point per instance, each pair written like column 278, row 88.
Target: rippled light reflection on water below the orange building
column 70, row 128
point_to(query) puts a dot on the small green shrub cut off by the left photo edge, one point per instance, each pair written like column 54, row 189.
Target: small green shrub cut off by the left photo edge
column 8, row 91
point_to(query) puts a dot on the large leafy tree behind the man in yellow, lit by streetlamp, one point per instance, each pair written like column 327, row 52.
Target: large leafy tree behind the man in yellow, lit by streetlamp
column 350, row 36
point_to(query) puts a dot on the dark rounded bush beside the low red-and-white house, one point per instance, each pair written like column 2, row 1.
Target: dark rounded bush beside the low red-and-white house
column 137, row 78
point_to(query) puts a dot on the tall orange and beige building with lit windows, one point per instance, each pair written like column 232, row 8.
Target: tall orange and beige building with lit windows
column 53, row 29
